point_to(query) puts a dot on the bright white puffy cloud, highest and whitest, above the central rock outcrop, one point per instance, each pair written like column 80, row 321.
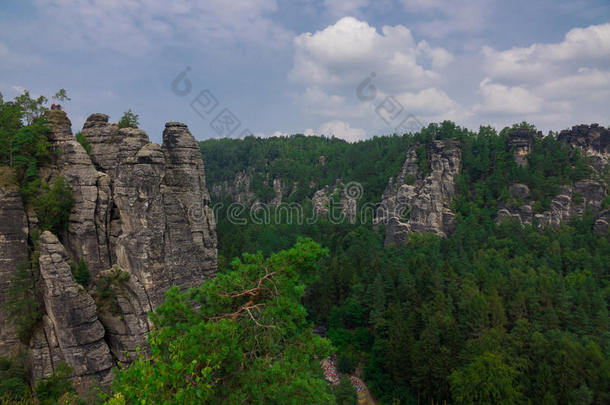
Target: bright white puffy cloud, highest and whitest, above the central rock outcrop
column 345, row 53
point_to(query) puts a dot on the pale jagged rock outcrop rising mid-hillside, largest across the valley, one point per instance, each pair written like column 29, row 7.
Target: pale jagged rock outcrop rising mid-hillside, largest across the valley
column 420, row 200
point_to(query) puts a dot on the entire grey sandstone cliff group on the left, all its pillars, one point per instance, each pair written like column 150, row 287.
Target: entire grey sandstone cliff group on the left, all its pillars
column 142, row 223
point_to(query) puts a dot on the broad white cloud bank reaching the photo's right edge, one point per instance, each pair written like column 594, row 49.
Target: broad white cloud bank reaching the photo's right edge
column 552, row 83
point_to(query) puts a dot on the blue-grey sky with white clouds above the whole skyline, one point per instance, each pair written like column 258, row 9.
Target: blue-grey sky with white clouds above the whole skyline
column 349, row 68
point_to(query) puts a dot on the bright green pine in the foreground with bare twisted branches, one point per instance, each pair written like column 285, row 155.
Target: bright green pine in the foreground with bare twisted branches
column 248, row 341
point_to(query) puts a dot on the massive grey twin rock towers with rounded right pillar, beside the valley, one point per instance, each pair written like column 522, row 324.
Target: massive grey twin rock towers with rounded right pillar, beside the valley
column 159, row 225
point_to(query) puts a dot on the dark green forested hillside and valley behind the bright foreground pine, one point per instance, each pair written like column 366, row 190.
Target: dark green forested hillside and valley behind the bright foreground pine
column 498, row 312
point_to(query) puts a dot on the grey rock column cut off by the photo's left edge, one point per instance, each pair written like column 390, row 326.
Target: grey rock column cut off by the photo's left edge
column 13, row 249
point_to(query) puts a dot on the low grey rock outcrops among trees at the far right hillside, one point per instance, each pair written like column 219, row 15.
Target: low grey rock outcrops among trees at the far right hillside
column 572, row 201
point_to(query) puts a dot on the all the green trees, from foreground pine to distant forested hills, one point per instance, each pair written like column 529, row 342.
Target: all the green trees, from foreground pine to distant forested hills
column 491, row 314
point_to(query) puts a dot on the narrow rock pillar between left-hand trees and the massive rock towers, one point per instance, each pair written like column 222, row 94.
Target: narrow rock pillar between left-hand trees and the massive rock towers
column 83, row 239
